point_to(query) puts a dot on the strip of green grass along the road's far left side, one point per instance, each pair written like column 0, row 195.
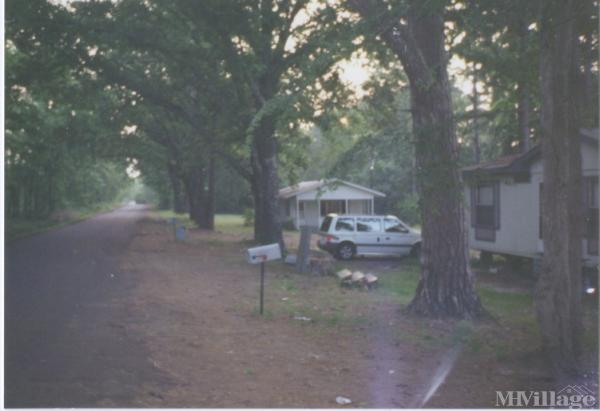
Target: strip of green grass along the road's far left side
column 22, row 228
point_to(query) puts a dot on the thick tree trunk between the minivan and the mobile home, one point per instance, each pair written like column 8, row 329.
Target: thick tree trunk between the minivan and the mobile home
column 446, row 285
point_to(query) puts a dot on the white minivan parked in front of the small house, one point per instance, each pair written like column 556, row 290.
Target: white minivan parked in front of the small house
column 345, row 236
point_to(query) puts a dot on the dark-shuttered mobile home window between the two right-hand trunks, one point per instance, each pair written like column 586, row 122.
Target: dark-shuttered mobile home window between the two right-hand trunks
column 485, row 208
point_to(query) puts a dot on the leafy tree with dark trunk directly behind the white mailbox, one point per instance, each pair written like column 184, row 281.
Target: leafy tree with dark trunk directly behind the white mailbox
column 280, row 54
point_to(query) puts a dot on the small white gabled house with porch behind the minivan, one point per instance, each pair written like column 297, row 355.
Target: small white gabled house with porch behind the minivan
column 308, row 202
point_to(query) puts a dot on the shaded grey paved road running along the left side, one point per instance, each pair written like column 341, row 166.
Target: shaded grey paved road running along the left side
column 62, row 294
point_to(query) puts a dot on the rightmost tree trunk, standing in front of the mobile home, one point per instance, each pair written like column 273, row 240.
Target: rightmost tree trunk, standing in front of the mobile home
column 559, row 288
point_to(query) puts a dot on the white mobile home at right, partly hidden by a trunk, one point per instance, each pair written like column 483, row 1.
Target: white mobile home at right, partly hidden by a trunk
column 504, row 208
